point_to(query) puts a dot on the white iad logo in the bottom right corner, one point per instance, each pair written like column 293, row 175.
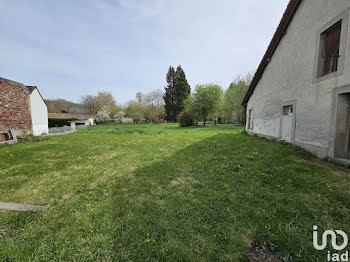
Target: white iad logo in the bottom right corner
column 333, row 236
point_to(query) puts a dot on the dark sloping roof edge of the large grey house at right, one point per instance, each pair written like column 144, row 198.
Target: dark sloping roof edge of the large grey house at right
column 288, row 15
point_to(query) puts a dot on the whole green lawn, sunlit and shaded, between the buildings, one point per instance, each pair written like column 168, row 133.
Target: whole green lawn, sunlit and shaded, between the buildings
column 164, row 193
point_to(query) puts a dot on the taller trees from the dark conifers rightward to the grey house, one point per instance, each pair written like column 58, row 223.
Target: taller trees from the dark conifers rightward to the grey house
column 207, row 102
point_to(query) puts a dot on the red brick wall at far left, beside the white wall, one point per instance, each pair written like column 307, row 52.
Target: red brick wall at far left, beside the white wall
column 14, row 107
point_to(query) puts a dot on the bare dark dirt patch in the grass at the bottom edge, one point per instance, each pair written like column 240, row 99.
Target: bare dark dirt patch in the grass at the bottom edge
column 260, row 253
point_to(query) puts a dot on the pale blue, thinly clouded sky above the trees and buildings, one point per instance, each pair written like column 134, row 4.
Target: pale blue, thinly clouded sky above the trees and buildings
column 69, row 48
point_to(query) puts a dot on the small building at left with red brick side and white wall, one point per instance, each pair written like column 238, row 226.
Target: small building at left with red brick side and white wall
column 22, row 108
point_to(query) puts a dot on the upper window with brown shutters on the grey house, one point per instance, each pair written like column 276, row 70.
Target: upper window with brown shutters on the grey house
column 330, row 50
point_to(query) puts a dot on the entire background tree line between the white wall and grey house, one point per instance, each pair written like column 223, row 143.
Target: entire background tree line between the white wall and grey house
column 207, row 102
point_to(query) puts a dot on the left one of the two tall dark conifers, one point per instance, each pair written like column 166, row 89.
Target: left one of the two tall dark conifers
column 169, row 94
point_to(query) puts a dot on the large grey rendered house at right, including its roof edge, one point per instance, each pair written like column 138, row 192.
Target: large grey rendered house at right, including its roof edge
column 301, row 91
